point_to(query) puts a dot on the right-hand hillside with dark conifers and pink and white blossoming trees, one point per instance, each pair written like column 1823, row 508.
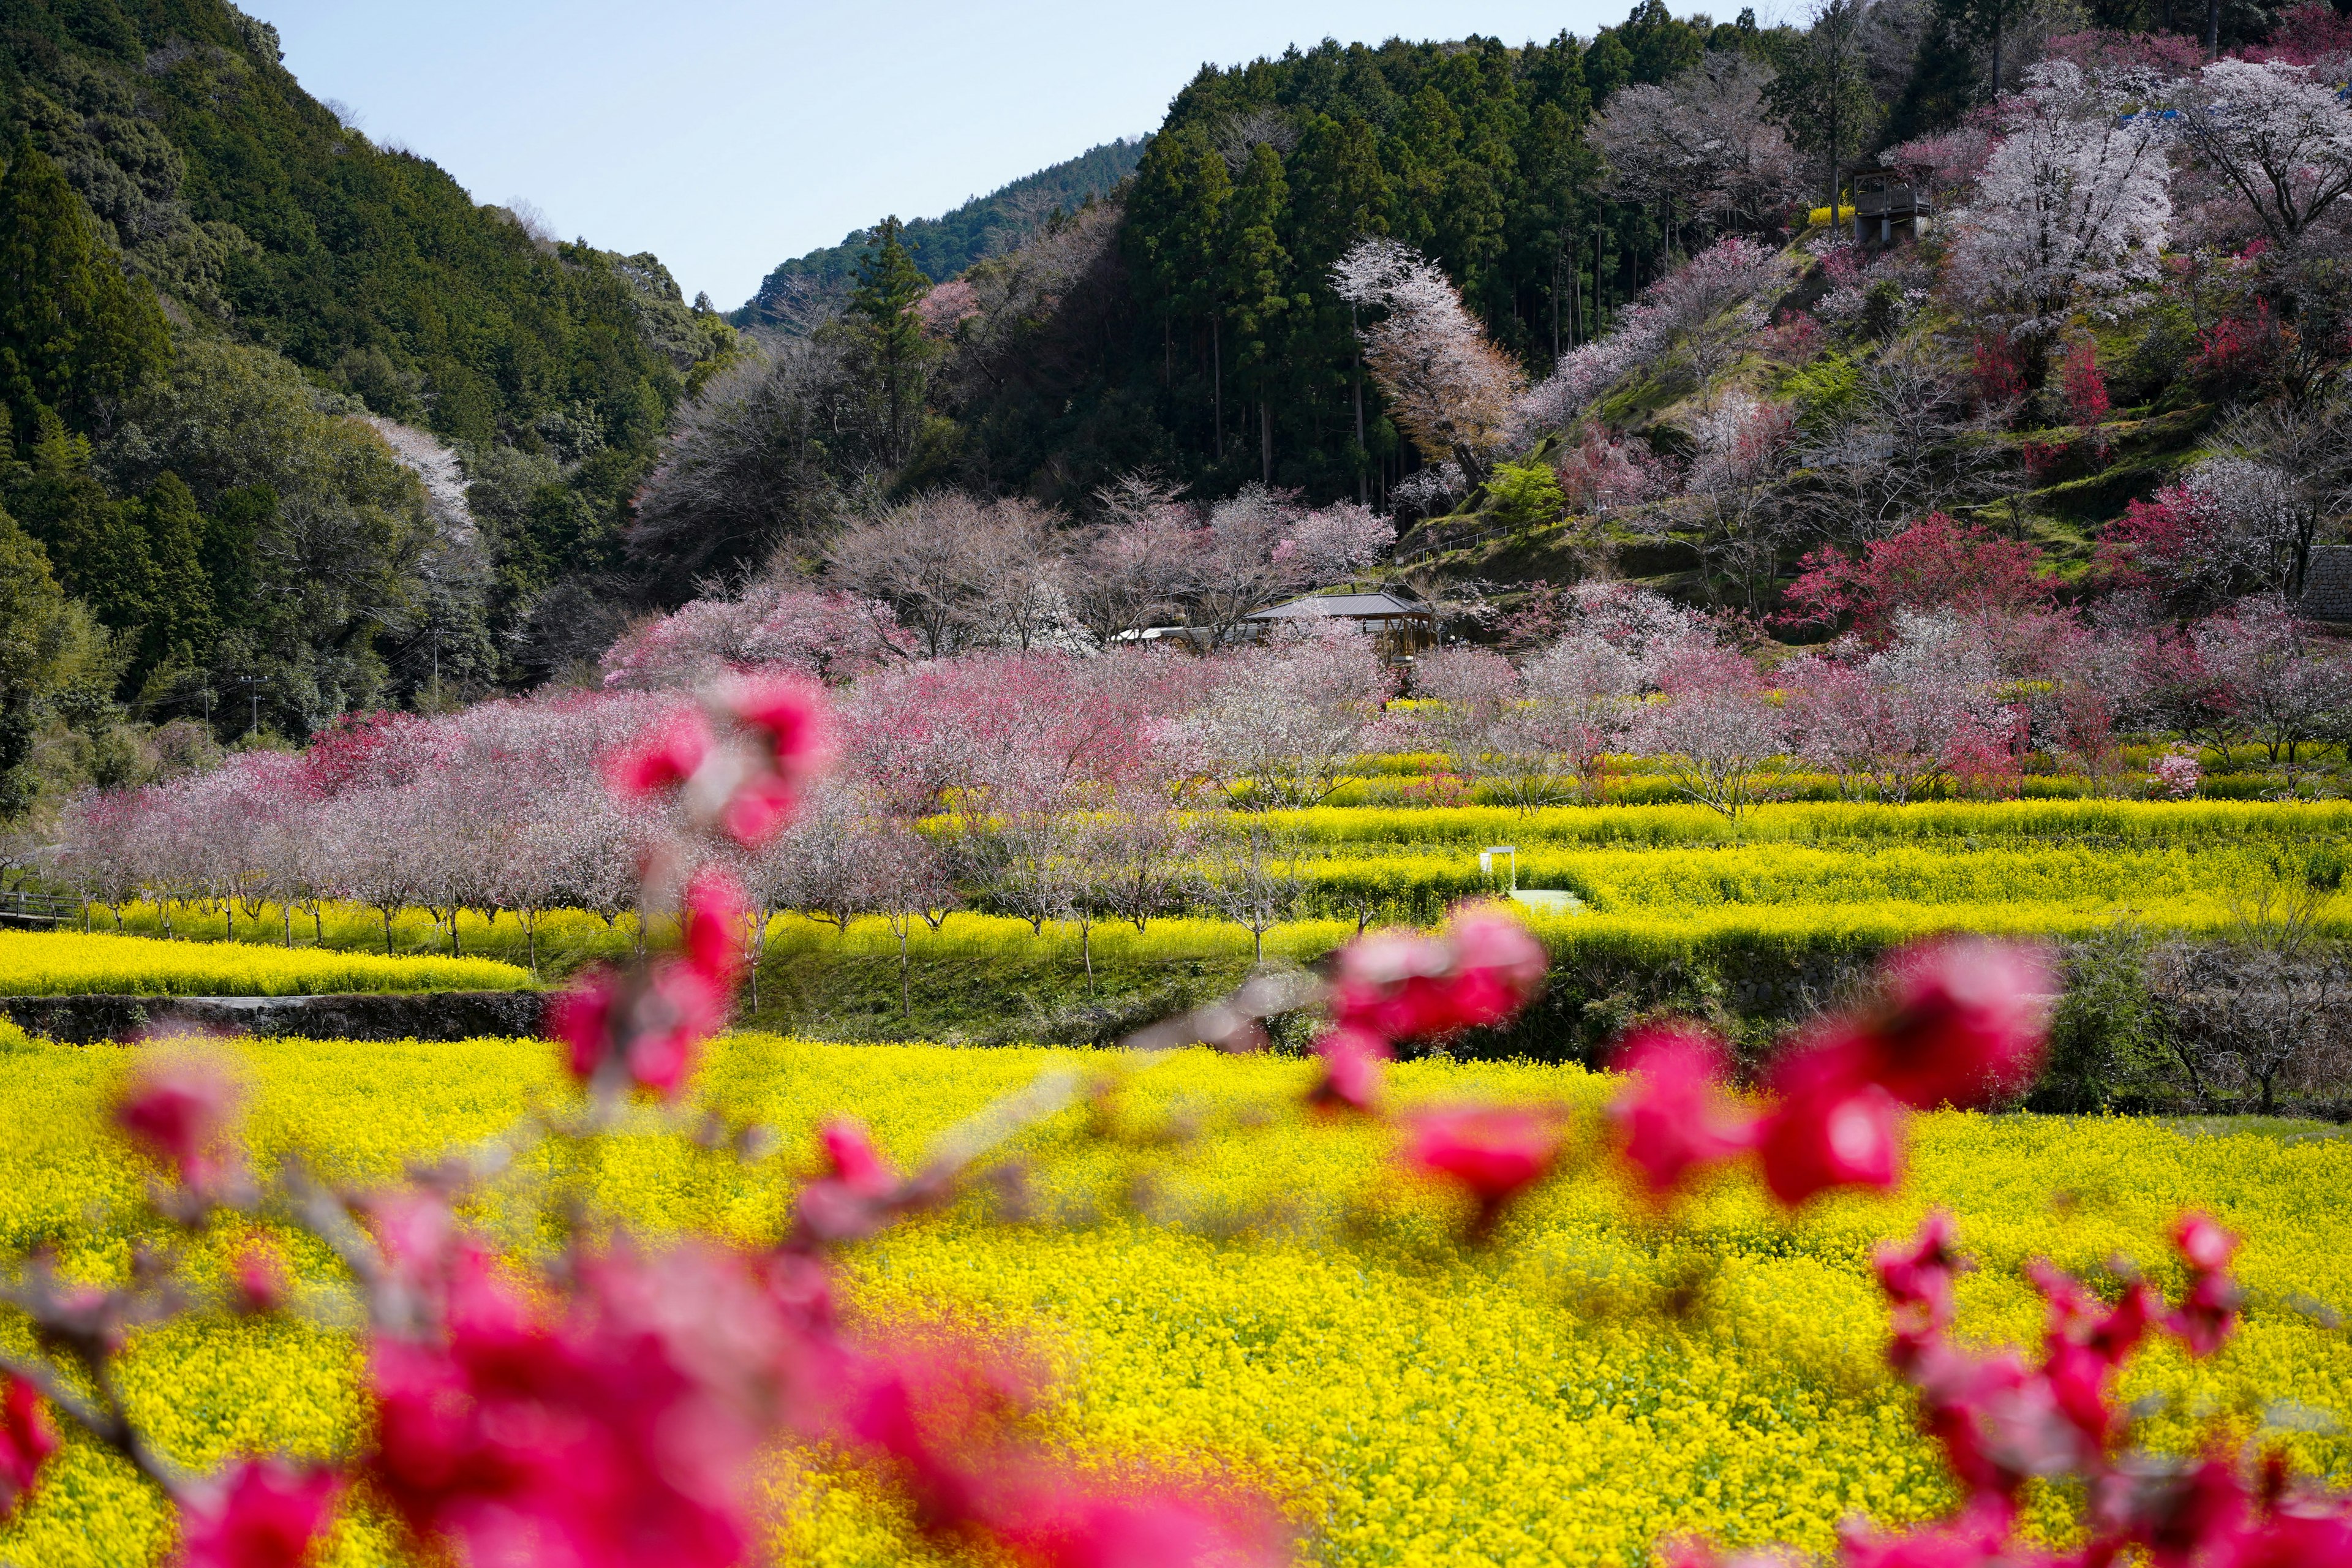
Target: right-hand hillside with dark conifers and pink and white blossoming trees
column 1575, row 203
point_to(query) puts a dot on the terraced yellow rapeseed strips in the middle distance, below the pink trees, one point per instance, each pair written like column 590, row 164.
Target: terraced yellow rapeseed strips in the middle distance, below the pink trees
column 1655, row 883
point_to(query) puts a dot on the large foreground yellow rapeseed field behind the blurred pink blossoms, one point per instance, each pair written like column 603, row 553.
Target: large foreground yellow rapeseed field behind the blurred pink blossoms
column 1292, row 1318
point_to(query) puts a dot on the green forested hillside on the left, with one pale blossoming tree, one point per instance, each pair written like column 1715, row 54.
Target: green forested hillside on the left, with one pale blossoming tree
column 206, row 281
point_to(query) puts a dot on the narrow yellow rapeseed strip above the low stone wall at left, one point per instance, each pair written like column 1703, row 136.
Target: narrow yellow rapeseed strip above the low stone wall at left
column 69, row 963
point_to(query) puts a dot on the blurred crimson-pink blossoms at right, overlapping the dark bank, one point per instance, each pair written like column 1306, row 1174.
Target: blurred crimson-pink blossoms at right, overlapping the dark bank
column 1956, row 1021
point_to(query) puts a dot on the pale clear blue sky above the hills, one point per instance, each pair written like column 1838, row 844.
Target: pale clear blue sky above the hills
column 728, row 135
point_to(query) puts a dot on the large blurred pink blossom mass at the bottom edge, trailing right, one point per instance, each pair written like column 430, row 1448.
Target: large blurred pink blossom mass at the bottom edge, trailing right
column 620, row 1423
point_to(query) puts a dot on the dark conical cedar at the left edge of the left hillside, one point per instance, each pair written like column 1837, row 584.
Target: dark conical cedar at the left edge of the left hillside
column 76, row 335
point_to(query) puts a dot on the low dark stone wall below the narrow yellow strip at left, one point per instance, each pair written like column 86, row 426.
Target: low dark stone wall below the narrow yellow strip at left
column 83, row 1021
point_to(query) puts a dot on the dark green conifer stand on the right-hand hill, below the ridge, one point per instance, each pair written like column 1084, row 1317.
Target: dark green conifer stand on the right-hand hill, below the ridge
column 1191, row 326
